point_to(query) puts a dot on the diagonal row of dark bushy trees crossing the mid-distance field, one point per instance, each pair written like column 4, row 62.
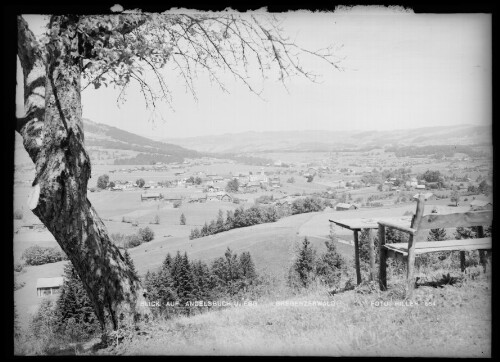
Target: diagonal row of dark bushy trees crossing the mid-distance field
column 258, row 214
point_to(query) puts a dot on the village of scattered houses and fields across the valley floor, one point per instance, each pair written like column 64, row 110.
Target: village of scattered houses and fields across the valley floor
column 349, row 184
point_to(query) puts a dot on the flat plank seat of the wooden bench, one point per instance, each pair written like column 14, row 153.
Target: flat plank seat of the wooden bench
column 445, row 245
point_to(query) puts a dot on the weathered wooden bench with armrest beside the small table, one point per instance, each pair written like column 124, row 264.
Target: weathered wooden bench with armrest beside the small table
column 418, row 244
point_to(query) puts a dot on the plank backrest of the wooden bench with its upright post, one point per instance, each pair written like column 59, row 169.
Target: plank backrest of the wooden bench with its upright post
column 463, row 219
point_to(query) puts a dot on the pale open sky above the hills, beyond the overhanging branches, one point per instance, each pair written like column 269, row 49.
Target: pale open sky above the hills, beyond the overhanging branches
column 399, row 71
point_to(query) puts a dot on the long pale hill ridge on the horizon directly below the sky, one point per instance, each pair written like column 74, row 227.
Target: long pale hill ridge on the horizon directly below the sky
column 301, row 141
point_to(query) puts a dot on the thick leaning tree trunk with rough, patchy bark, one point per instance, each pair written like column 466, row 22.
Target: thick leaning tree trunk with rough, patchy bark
column 59, row 196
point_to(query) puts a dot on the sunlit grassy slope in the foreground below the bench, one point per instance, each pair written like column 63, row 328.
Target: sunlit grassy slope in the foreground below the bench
column 453, row 320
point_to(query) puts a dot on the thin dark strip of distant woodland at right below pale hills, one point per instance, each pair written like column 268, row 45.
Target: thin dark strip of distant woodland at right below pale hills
column 437, row 151
